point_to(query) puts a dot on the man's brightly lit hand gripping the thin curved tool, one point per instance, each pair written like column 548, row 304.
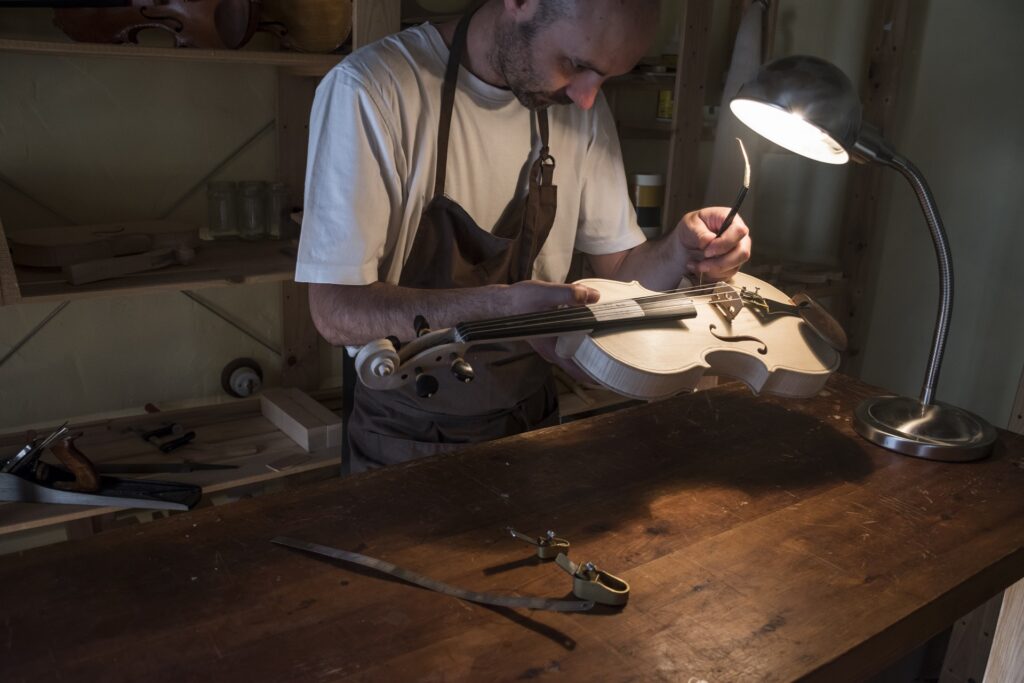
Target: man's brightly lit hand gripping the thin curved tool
column 716, row 257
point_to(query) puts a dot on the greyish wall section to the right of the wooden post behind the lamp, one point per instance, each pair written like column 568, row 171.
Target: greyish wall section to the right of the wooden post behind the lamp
column 960, row 124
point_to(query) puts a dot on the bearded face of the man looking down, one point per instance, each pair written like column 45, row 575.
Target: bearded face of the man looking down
column 568, row 61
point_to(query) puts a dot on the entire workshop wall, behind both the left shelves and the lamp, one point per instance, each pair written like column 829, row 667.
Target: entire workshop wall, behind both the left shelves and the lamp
column 92, row 140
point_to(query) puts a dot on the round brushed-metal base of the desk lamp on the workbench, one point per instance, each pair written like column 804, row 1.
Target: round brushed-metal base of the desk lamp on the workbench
column 937, row 432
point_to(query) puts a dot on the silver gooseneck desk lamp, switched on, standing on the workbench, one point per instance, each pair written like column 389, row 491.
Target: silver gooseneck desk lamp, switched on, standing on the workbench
column 809, row 107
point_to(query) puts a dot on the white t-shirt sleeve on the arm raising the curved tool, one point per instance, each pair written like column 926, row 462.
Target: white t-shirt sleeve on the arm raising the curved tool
column 608, row 220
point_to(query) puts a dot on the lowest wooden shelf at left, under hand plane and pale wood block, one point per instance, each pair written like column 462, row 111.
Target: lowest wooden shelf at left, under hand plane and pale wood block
column 235, row 434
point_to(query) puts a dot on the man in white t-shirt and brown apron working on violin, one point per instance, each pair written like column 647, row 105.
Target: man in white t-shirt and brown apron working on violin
column 431, row 192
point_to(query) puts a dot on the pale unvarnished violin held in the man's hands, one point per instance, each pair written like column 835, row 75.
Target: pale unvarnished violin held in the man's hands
column 644, row 345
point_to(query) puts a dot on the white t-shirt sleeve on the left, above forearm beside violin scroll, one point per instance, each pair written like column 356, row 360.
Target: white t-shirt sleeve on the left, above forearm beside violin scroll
column 353, row 188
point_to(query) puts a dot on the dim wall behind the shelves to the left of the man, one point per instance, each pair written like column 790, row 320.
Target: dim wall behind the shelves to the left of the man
column 93, row 141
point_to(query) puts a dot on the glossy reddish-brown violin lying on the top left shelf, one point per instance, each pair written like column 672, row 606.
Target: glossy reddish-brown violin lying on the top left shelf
column 205, row 24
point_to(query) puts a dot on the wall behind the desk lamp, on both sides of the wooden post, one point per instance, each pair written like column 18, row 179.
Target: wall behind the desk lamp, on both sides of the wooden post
column 958, row 122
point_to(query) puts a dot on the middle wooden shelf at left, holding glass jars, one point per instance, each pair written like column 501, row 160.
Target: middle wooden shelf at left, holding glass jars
column 217, row 265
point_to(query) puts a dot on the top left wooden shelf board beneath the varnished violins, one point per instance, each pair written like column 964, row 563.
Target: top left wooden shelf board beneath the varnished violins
column 306, row 64
